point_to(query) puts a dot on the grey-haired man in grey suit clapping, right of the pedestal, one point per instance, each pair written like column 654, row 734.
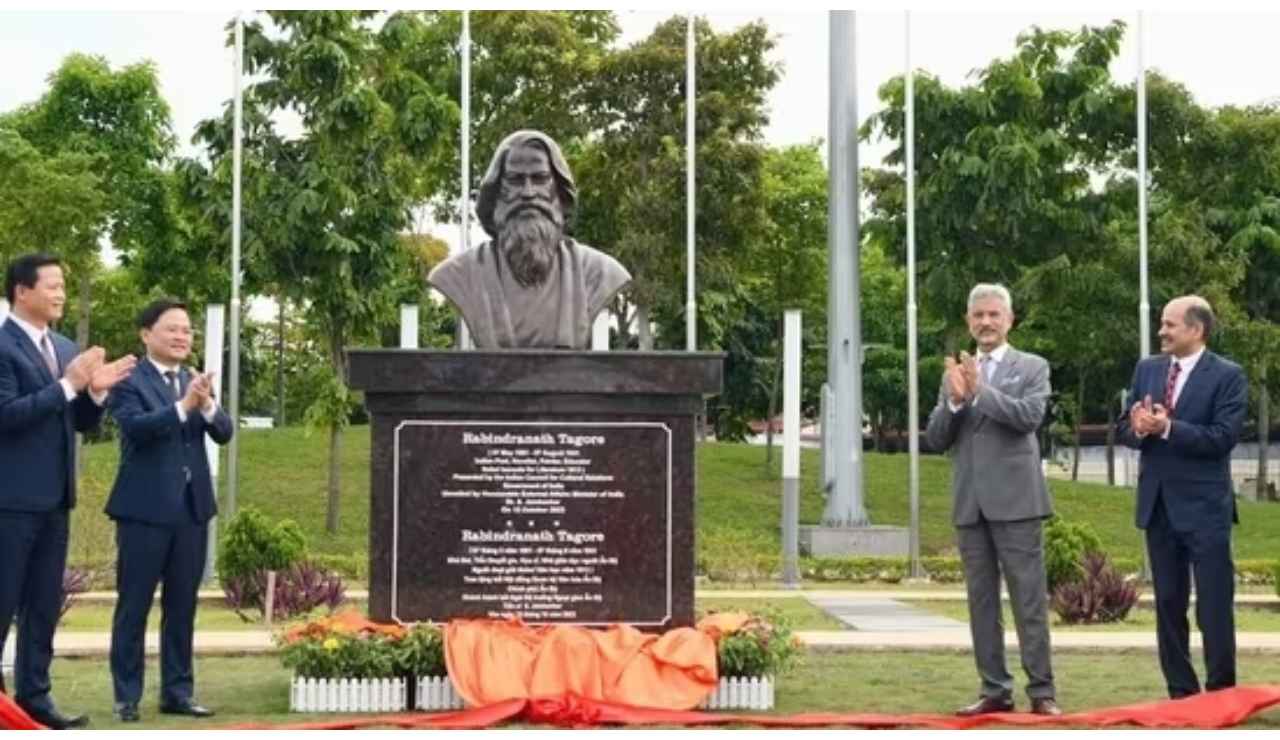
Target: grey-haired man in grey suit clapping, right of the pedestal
column 988, row 415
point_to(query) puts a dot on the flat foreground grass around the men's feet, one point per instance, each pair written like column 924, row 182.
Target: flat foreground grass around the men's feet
column 255, row 689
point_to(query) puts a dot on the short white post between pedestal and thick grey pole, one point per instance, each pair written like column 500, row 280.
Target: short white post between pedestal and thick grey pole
column 792, row 450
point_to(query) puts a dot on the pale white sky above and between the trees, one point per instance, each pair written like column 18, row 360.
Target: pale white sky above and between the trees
column 1223, row 58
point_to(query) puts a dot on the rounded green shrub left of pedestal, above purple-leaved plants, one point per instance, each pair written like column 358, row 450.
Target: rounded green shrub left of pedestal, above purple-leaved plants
column 250, row 546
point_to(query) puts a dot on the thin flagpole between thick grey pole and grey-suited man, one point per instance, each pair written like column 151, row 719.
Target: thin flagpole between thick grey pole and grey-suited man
column 913, row 392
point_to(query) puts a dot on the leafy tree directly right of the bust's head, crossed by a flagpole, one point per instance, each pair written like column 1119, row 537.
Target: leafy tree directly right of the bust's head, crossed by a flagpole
column 634, row 171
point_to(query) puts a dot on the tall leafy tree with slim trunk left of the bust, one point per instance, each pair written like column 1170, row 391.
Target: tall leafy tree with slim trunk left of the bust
column 328, row 207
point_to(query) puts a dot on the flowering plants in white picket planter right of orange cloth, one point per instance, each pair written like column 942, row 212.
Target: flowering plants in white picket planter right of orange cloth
column 749, row 660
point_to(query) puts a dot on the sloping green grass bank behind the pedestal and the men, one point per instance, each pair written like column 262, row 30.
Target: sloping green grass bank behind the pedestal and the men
column 284, row 474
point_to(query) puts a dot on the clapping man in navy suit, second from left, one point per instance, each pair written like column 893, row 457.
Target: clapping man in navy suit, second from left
column 162, row 505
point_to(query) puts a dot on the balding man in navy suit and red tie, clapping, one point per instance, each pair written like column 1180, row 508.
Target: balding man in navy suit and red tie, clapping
column 1187, row 408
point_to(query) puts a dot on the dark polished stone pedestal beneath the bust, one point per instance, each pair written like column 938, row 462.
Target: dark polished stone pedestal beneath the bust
column 552, row 486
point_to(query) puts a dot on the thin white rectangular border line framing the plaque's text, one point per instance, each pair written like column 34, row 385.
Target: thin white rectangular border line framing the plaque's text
column 396, row 469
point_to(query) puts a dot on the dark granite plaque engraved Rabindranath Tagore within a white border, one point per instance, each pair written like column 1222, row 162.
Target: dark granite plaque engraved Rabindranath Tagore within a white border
column 566, row 523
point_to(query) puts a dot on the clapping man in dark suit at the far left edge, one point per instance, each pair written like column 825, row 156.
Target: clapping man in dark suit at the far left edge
column 48, row 392
